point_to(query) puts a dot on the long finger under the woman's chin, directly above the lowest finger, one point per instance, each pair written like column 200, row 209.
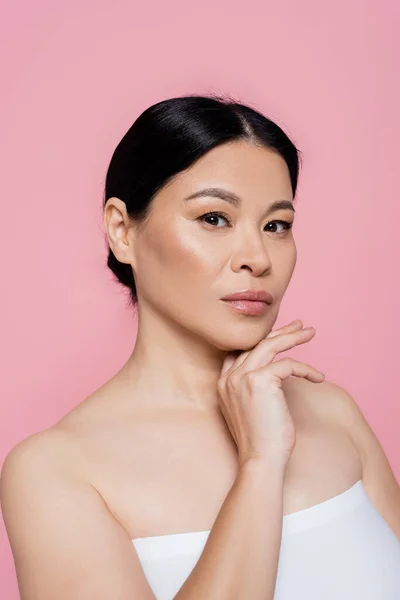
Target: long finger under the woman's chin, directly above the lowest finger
column 268, row 348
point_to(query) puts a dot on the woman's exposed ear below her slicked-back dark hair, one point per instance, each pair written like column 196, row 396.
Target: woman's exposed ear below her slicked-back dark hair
column 119, row 230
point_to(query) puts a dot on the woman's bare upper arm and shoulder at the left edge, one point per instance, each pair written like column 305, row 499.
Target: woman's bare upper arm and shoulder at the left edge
column 65, row 542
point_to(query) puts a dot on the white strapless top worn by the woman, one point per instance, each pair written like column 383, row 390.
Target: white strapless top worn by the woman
column 340, row 549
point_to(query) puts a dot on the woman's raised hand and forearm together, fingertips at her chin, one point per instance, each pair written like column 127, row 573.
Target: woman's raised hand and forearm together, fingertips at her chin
column 242, row 550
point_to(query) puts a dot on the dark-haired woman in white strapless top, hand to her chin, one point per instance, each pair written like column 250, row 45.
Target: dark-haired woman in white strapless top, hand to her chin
column 208, row 467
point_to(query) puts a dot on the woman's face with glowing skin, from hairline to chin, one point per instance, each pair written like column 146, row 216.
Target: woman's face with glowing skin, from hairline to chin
column 185, row 261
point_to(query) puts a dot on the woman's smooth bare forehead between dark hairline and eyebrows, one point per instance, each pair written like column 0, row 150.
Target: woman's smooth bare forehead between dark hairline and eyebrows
column 238, row 166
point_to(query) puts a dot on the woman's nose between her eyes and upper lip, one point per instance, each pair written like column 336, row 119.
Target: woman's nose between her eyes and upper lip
column 251, row 254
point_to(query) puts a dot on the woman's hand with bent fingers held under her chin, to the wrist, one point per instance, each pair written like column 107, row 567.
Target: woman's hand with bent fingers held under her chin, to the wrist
column 251, row 396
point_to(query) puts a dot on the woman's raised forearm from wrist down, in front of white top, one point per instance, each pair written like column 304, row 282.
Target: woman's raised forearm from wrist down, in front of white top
column 240, row 559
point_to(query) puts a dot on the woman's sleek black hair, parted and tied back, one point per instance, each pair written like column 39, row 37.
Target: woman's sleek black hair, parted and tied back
column 171, row 135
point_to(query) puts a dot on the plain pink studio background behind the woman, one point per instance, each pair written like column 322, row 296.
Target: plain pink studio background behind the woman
column 75, row 76
